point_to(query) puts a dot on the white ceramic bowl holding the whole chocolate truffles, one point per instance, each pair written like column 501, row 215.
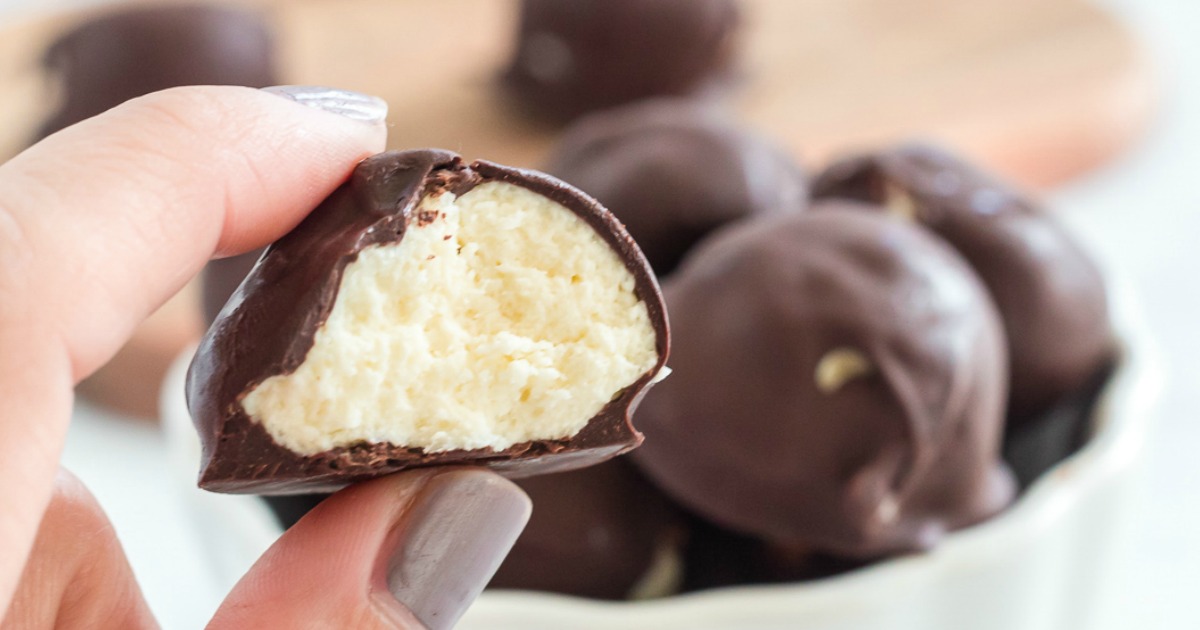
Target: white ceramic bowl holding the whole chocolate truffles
column 1045, row 565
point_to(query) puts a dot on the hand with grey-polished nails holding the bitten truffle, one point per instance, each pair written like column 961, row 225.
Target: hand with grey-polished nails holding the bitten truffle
column 99, row 226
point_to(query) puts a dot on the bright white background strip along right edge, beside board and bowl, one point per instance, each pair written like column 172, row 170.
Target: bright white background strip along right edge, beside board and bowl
column 1142, row 213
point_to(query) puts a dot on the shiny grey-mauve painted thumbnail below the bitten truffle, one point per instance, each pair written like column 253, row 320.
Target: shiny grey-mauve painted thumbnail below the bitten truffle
column 459, row 530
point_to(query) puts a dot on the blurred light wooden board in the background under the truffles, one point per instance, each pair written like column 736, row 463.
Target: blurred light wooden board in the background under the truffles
column 1041, row 91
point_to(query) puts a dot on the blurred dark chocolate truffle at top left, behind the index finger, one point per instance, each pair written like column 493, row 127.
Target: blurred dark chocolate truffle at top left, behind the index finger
column 131, row 52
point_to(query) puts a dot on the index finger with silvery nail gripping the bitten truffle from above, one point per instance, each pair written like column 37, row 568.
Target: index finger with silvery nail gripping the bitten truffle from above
column 103, row 223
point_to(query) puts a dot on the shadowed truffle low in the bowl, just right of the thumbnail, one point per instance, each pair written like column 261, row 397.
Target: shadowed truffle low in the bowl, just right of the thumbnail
column 595, row 533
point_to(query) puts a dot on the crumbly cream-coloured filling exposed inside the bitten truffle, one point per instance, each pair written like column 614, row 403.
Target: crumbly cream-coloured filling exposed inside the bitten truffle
column 507, row 319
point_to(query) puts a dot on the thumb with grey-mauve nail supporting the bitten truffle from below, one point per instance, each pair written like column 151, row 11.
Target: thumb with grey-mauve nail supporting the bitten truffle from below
column 405, row 551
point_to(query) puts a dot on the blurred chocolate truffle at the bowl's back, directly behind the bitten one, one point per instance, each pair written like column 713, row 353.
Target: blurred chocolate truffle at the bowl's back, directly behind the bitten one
column 674, row 171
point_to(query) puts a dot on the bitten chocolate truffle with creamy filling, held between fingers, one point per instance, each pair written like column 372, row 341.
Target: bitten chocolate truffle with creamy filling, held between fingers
column 430, row 313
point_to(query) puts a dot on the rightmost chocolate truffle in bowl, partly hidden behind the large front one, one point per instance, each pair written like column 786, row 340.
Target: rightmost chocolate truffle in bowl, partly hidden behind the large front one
column 1051, row 295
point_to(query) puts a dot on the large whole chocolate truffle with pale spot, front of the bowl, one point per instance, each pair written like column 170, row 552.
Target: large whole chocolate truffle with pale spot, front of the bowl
column 838, row 387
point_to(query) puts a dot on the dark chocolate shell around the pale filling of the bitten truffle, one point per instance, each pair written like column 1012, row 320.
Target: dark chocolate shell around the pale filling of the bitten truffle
column 268, row 328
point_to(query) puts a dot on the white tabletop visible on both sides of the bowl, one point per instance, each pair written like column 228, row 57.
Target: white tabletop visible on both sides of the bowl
column 1142, row 214
